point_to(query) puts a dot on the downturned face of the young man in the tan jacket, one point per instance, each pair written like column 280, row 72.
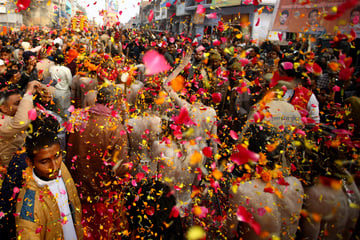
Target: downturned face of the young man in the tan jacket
column 47, row 162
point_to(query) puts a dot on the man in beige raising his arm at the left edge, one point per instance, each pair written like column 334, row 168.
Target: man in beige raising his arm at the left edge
column 14, row 120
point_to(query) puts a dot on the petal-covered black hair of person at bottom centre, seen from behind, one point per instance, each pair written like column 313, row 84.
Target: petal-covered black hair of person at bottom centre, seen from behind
column 149, row 207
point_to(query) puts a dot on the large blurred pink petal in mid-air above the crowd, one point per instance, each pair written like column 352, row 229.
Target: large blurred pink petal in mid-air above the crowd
column 155, row 63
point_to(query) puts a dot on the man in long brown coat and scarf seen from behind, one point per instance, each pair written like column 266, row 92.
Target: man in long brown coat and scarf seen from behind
column 97, row 151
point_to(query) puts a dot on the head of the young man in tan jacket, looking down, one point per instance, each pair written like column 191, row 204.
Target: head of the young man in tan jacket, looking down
column 43, row 150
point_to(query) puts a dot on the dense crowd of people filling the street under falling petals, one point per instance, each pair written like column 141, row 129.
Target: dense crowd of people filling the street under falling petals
column 134, row 134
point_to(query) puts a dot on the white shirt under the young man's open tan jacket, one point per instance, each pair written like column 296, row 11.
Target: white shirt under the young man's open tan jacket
column 58, row 189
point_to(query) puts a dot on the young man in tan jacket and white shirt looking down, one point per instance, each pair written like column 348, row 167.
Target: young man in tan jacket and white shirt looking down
column 49, row 206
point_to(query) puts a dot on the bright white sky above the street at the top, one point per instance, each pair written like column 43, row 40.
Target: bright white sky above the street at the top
column 129, row 9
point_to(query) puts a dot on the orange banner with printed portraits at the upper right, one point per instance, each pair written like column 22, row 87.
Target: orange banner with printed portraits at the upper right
column 309, row 18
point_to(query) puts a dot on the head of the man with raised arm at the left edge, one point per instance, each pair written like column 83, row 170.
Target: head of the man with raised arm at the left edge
column 9, row 102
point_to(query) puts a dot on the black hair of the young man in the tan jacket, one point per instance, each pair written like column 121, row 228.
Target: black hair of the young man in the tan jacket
column 42, row 133
